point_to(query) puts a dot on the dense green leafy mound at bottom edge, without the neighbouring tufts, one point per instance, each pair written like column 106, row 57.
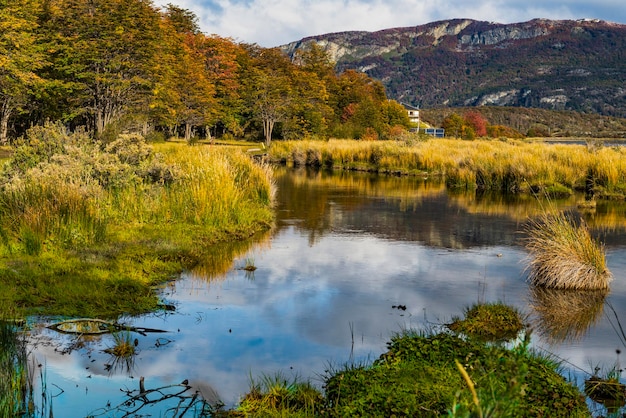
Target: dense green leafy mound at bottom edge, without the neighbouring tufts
column 418, row 376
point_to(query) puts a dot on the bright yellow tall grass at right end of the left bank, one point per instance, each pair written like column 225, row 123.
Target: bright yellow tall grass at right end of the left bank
column 214, row 188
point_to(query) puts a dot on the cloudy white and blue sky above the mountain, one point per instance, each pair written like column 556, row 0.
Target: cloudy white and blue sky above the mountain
column 270, row 23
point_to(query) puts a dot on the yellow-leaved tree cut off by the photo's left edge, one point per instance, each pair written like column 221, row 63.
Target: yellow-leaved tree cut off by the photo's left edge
column 20, row 58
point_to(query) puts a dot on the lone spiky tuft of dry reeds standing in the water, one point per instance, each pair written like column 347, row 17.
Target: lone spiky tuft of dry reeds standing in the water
column 564, row 255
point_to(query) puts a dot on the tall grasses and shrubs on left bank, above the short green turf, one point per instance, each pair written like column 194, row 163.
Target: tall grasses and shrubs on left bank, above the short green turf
column 63, row 190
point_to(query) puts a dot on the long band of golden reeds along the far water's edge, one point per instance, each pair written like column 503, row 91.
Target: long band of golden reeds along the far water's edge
column 505, row 166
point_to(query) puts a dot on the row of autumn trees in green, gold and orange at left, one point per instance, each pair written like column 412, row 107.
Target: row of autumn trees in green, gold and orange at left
column 118, row 65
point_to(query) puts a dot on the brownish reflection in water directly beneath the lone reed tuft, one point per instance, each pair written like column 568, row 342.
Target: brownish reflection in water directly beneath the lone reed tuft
column 565, row 315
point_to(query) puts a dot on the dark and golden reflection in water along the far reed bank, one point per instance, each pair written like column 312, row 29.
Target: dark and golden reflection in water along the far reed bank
column 413, row 209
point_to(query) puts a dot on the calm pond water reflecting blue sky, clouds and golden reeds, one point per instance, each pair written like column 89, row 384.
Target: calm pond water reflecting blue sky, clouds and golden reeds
column 347, row 249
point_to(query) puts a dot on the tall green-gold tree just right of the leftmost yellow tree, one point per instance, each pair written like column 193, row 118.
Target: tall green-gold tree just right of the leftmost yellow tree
column 106, row 49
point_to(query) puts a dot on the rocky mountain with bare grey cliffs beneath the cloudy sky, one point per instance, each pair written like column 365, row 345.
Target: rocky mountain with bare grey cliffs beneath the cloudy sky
column 563, row 65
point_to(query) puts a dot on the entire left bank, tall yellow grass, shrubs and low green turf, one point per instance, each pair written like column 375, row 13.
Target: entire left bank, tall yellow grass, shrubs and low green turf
column 87, row 229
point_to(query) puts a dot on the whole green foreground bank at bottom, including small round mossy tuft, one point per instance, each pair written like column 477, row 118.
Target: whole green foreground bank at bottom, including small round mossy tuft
column 449, row 374
